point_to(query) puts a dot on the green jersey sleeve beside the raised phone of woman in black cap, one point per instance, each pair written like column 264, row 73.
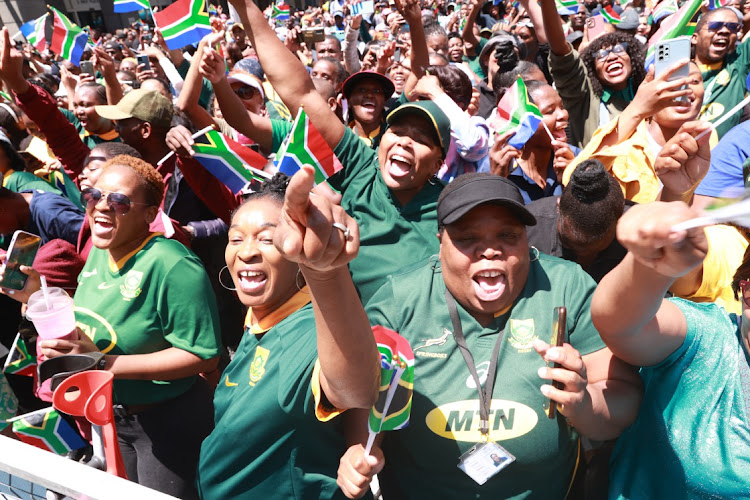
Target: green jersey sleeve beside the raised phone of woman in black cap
column 583, row 334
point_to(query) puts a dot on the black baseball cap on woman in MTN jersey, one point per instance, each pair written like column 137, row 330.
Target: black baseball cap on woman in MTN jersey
column 468, row 191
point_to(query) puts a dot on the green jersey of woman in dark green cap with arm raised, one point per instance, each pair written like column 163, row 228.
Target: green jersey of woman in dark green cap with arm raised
column 392, row 236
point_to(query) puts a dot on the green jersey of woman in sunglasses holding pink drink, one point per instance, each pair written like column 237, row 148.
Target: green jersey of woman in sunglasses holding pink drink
column 156, row 297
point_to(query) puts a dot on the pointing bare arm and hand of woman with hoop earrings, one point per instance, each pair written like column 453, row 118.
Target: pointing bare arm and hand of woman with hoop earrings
column 349, row 361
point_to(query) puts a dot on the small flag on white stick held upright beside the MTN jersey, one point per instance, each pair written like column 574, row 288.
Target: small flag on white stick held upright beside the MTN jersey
column 392, row 409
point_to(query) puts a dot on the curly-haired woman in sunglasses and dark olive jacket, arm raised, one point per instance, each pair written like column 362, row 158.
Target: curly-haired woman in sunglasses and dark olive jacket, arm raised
column 597, row 84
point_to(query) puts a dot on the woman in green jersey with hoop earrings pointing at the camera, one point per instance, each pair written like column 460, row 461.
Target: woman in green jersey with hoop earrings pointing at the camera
column 293, row 372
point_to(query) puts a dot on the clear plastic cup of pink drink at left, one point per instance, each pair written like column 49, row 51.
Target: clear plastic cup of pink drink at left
column 56, row 322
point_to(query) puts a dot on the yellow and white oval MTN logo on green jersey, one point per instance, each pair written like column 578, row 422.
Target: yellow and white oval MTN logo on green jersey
column 459, row 421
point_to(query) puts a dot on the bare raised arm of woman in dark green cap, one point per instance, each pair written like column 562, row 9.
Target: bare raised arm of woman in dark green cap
column 287, row 74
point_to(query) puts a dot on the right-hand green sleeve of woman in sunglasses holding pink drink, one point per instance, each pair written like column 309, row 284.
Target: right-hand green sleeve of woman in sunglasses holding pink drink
column 187, row 309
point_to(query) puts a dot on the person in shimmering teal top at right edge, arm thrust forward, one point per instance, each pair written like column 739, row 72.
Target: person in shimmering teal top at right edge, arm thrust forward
column 692, row 435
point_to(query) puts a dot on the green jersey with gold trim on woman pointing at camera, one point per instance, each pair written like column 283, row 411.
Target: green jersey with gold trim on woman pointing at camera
column 268, row 440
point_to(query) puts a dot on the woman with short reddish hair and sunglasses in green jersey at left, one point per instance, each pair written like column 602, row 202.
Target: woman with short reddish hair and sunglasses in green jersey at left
column 146, row 302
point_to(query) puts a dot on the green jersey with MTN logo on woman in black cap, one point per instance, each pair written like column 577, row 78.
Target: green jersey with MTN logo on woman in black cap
column 421, row 459
